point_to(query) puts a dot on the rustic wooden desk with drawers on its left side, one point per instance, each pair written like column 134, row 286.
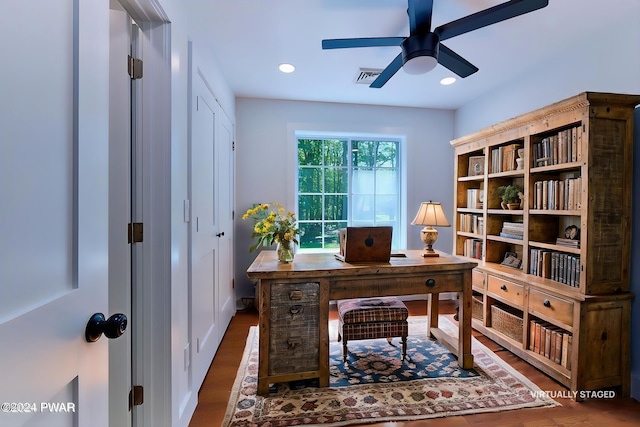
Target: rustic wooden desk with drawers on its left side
column 294, row 306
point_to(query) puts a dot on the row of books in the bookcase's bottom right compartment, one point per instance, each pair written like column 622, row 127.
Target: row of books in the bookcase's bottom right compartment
column 550, row 341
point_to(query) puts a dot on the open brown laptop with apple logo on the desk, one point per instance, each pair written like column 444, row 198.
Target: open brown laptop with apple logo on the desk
column 365, row 244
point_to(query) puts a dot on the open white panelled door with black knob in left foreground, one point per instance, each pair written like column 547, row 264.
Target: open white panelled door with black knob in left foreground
column 54, row 212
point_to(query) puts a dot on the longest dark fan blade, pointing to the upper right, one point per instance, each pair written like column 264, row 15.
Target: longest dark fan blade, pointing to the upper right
column 490, row 16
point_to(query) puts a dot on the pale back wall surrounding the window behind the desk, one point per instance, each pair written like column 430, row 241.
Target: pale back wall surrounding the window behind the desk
column 266, row 157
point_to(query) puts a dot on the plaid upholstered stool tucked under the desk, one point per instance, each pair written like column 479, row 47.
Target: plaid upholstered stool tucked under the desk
column 370, row 318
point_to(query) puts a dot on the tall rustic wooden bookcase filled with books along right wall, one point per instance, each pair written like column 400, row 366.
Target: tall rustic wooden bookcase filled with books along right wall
column 571, row 274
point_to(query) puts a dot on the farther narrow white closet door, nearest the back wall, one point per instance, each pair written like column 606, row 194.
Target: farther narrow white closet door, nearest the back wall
column 225, row 205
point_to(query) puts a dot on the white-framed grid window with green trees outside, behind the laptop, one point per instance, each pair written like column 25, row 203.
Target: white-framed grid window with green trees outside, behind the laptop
column 347, row 182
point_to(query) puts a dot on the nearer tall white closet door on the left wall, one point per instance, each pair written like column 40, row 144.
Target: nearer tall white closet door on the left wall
column 205, row 334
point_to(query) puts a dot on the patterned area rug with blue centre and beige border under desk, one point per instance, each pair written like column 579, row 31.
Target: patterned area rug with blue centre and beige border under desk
column 376, row 386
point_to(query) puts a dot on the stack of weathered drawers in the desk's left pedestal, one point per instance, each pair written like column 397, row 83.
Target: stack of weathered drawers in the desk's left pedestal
column 294, row 336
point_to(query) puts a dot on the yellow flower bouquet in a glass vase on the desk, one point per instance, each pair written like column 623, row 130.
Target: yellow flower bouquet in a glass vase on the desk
column 273, row 224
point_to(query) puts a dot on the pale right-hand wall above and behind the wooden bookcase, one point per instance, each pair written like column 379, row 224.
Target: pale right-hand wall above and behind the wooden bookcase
column 601, row 64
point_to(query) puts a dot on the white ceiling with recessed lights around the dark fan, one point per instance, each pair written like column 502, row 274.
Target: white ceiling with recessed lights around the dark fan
column 249, row 38
